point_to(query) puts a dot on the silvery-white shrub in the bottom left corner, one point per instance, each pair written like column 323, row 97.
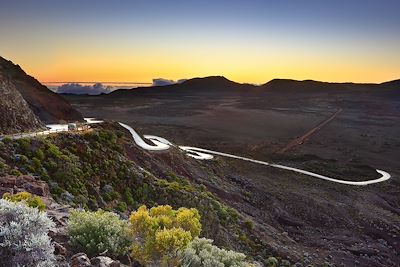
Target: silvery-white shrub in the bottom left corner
column 24, row 239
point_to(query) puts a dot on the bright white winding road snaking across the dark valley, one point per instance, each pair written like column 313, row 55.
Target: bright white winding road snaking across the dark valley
column 160, row 143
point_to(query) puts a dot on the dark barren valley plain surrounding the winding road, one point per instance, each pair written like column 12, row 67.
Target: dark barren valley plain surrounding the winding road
column 299, row 217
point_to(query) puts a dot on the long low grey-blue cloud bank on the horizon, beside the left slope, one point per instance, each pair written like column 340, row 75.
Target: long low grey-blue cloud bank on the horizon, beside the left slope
column 78, row 89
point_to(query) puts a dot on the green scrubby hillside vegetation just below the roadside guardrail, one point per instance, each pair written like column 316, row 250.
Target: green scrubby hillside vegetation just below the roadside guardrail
column 91, row 171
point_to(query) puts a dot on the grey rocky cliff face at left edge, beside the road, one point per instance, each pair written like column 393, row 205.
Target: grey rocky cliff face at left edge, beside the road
column 15, row 114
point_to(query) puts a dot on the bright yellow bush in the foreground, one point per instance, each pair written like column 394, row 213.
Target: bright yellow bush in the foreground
column 161, row 232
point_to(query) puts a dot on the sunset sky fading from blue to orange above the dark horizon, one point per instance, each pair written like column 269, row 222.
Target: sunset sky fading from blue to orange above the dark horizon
column 245, row 41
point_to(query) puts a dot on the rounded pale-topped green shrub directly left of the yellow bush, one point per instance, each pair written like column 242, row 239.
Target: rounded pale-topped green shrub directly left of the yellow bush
column 98, row 232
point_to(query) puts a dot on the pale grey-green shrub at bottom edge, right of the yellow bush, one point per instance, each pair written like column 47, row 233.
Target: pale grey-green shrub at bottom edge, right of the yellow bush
column 202, row 253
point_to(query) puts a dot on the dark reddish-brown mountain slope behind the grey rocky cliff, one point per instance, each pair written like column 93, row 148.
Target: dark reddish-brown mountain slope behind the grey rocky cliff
column 45, row 104
